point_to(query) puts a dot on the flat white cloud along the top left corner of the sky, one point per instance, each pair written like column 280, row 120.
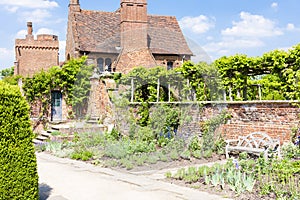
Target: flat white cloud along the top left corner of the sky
column 29, row 3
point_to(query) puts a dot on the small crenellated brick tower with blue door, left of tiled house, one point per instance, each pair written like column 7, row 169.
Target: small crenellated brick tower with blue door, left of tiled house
column 34, row 55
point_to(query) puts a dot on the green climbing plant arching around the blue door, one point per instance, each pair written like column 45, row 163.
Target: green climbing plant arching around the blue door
column 72, row 79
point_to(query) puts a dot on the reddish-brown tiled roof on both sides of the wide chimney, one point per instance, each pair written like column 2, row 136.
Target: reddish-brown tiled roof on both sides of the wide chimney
column 98, row 31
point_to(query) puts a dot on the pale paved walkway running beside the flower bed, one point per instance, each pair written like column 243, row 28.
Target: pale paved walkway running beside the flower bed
column 65, row 179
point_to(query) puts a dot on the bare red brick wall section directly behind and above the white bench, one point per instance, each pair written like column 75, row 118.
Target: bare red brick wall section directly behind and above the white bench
column 276, row 119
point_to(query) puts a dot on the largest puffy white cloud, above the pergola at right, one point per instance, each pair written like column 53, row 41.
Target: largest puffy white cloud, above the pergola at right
column 255, row 26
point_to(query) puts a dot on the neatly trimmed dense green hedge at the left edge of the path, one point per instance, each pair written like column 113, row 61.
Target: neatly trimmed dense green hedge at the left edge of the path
column 18, row 167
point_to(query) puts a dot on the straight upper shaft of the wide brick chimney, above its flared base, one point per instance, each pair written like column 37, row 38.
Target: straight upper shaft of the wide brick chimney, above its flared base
column 134, row 21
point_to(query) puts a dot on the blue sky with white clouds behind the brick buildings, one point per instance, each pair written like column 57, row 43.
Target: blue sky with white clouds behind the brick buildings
column 215, row 27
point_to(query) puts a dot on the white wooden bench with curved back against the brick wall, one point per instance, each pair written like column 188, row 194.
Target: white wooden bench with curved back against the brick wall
column 254, row 143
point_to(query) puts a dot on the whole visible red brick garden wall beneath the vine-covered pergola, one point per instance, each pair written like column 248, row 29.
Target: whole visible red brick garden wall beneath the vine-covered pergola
column 276, row 118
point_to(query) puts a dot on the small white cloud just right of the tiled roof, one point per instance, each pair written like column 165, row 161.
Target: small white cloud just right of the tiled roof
column 199, row 25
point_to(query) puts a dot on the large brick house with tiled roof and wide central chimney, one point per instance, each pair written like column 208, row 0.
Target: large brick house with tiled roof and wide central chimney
column 129, row 37
